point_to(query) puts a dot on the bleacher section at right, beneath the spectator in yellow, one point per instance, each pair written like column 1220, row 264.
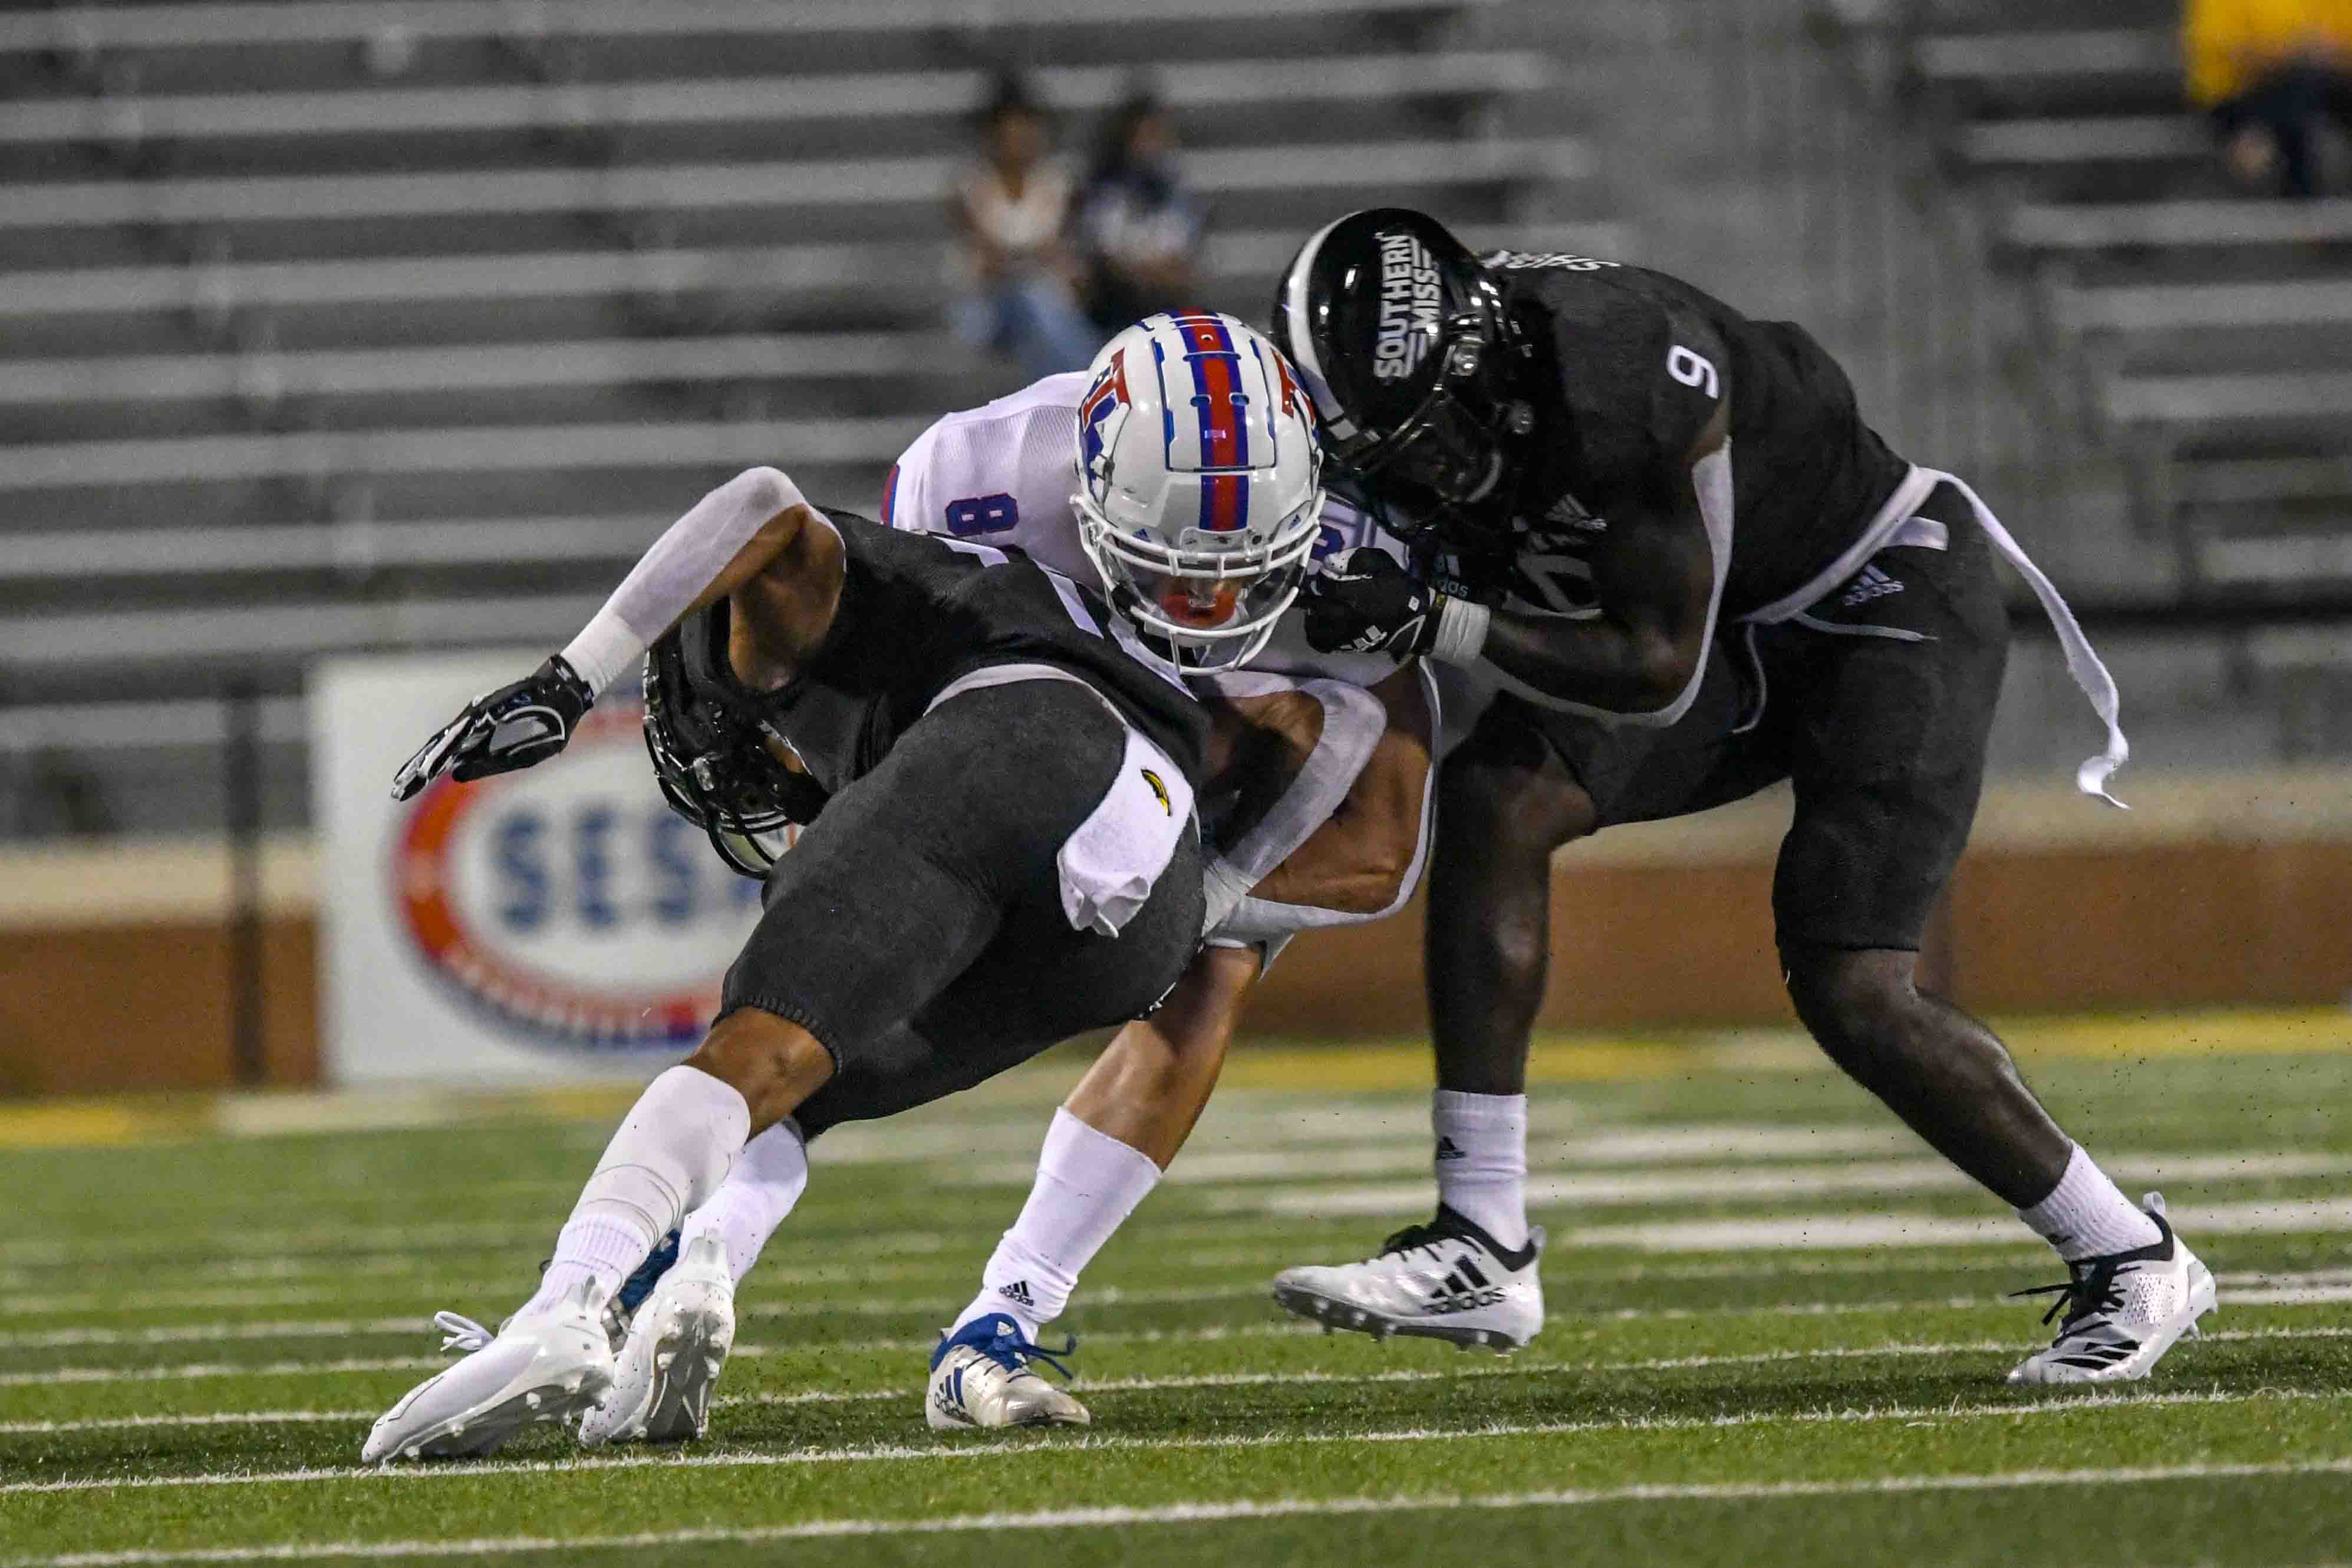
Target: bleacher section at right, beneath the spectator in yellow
column 2207, row 326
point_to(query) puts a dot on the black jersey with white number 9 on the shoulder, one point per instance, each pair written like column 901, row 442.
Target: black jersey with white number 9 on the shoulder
column 1631, row 368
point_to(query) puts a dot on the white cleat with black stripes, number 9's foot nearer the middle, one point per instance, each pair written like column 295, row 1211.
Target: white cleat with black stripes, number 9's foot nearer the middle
column 1445, row 1280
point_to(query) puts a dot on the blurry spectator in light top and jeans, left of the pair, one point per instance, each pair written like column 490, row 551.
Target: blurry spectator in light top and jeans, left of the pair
column 1010, row 213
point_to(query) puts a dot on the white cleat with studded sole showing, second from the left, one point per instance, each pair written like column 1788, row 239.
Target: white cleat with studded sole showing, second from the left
column 676, row 1346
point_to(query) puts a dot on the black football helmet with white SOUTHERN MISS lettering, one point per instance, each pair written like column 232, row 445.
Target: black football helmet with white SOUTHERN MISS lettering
column 1412, row 359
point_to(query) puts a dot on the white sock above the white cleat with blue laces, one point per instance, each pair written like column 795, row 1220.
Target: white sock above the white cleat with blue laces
column 1088, row 1184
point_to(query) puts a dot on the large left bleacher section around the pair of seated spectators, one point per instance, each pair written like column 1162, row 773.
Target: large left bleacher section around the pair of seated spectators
column 370, row 326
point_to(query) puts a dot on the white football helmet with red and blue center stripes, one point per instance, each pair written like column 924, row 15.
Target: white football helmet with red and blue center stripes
column 1198, row 485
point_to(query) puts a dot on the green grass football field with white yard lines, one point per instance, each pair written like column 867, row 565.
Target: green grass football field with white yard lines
column 1777, row 1336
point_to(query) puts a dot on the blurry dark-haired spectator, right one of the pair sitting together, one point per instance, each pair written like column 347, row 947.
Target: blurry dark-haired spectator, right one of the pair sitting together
column 1137, row 225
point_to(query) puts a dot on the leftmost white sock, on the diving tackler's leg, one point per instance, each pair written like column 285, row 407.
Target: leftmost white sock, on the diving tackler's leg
column 667, row 1158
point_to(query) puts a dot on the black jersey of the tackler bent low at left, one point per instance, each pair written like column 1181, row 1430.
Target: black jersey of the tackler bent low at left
column 921, row 612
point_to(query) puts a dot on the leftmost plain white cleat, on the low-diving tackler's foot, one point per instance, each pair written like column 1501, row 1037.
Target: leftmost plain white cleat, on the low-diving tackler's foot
column 544, row 1367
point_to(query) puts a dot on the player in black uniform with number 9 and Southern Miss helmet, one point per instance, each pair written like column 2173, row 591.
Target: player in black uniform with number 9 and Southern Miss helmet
column 1666, row 544
